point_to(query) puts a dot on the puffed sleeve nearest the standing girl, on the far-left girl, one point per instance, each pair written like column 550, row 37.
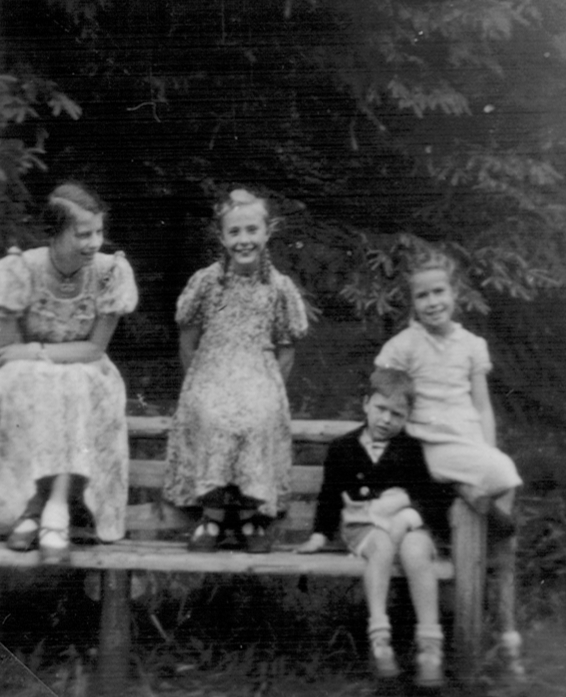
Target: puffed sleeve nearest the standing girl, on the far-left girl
column 118, row 293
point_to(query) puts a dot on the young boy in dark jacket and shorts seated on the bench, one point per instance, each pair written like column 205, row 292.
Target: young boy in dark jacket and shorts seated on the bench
column 378, row 492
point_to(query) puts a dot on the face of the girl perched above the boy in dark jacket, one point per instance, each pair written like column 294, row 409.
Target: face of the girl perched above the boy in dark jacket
column 434, row 300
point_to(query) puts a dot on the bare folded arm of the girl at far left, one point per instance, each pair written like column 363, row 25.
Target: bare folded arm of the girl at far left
column 66, row 352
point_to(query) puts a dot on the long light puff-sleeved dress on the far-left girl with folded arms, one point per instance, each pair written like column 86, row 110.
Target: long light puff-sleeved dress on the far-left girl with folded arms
column 64, row 418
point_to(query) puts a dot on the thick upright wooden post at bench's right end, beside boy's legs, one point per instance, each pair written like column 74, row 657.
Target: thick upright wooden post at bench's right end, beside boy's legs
column 469, row 535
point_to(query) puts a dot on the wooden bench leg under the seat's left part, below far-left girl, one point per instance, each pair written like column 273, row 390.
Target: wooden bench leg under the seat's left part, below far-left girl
column 114, row 647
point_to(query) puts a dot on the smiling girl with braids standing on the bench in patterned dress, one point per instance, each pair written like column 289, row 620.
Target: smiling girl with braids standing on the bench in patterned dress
column 230, row 444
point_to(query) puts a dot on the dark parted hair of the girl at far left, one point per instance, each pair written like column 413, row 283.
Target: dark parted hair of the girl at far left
column 62, row 202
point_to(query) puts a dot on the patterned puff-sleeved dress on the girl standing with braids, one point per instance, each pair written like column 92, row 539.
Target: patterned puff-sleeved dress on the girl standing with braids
column 232, row 424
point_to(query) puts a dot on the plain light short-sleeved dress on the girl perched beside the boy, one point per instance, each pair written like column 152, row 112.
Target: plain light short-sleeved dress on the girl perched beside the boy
column 444, row 417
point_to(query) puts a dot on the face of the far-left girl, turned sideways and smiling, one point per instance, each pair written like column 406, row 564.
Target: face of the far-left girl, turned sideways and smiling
column 80, row 241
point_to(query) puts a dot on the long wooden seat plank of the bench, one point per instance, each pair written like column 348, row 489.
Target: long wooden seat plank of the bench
column 173, row 557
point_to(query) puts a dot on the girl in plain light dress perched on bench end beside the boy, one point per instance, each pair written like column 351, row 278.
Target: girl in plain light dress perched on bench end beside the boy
column 453, row 415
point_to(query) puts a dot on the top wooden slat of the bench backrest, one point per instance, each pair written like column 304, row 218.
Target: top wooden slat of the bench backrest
column 311, row 430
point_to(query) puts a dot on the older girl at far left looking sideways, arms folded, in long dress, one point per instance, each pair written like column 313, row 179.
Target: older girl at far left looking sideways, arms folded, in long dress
column 63, row 431
